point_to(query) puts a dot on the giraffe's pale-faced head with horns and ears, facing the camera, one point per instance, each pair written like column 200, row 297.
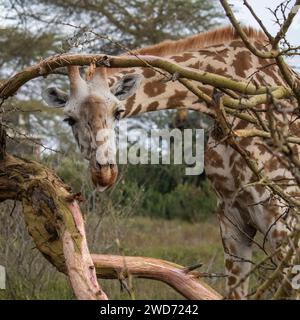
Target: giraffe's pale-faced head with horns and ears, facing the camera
column 92, row 109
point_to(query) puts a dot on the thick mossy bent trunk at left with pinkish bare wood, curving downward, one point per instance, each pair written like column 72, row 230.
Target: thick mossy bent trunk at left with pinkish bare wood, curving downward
column 53, row 220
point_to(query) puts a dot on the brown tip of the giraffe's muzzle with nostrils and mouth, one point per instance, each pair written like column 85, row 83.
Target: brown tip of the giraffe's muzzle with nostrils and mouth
column 103, row 176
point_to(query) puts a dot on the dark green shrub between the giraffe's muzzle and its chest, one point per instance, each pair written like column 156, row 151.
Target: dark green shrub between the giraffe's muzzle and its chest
column 169, row 194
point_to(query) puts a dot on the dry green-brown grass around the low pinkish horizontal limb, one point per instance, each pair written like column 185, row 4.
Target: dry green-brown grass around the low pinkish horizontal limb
column 173, row 240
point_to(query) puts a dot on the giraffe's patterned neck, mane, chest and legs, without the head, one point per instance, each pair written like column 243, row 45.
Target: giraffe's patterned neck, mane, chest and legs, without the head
column 245, row 206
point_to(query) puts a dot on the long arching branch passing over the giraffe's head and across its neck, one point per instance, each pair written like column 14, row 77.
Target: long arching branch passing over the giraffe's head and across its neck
column 45, row 67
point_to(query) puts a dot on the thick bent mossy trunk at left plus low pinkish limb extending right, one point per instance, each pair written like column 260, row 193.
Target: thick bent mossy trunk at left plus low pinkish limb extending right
column 55, row 223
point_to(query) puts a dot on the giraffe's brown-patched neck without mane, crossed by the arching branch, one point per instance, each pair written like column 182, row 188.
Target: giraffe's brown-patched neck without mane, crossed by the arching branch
column 231, row 60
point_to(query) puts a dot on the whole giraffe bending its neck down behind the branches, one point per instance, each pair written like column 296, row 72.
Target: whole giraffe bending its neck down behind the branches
column 245, row 208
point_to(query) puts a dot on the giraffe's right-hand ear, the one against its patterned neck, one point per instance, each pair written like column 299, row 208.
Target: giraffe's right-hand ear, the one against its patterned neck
column 127, row 86
